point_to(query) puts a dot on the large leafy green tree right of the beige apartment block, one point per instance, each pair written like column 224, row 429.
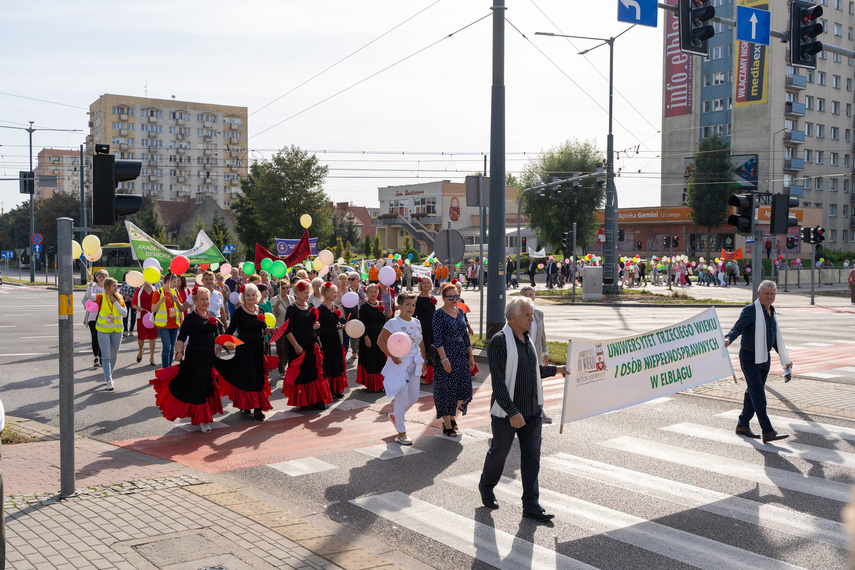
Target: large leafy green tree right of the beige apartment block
column 277, row 193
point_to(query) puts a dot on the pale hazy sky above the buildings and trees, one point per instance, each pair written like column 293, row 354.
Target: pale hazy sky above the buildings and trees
column 428, row 114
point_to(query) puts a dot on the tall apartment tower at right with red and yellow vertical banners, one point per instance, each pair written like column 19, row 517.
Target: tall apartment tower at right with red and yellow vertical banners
column 797, row 122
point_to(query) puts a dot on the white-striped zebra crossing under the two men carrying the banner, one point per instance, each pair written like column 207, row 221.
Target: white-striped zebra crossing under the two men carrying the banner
column 725, row 457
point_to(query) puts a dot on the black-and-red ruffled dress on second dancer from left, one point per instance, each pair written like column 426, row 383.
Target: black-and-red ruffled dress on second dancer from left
column 244, row 377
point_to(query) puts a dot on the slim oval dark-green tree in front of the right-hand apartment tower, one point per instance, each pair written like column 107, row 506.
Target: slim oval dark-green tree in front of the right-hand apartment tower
column 710, row 185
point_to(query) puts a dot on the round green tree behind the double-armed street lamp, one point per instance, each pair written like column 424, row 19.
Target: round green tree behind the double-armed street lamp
column 550, row 216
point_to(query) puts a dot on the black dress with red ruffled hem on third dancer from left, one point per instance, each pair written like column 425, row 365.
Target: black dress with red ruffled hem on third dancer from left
column 304, row 383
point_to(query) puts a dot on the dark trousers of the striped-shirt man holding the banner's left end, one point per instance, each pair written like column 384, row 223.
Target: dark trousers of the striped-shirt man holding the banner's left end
column 503, row 438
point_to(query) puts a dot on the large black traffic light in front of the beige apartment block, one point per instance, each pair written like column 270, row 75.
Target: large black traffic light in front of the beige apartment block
column 107, row 172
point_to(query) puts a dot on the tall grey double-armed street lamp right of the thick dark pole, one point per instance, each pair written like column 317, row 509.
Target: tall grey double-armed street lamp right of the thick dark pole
column 610, row 249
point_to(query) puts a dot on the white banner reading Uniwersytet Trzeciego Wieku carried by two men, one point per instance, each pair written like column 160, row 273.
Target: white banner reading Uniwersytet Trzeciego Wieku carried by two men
column 608, row 375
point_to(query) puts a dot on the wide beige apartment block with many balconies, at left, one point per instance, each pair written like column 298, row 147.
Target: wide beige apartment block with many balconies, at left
column 188, row 150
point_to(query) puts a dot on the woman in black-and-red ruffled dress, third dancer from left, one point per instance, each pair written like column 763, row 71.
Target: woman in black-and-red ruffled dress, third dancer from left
column 305, row 384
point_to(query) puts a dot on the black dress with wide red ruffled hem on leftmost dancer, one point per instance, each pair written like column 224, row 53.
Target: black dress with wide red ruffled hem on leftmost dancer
column 189, row 389
